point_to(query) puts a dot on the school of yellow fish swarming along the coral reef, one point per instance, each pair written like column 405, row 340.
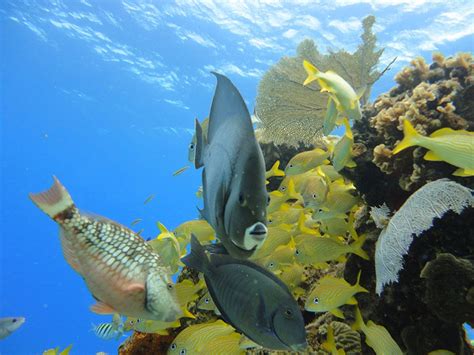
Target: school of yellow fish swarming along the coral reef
column 310, row 223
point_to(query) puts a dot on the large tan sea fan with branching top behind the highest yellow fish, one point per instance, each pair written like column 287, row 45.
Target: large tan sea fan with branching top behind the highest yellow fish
column 290, row 112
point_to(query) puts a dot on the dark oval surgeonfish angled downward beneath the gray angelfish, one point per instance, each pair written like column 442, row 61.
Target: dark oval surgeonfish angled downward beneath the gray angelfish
column 251, row 299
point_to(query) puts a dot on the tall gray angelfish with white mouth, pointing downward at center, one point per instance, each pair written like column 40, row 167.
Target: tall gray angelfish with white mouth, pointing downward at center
column 234, row 192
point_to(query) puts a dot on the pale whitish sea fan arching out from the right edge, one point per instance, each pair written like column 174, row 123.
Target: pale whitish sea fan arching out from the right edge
column 416, row 216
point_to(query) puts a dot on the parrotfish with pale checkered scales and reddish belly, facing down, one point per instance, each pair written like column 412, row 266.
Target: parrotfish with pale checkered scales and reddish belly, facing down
column 120, row 269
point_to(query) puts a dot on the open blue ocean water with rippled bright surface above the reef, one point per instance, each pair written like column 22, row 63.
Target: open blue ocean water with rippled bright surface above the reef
column 103, row 95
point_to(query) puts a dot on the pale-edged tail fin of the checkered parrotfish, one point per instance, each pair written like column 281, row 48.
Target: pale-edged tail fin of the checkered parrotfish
column 53, row 201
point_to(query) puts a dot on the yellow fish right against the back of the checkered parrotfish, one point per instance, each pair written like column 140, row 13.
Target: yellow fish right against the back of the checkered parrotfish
column 167, row 245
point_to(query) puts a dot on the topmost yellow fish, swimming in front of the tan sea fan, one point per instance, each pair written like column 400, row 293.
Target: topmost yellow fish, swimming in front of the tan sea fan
column 340, row 91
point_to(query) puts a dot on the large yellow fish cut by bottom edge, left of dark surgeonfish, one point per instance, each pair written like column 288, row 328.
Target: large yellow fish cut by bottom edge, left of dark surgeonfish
column 193, row 339
